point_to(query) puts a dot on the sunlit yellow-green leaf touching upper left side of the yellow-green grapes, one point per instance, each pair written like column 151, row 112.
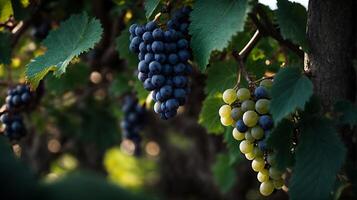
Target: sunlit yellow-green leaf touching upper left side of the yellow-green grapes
column 209, row 117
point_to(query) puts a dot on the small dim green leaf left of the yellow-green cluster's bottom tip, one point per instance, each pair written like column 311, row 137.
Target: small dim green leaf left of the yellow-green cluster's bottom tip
column 223, row 173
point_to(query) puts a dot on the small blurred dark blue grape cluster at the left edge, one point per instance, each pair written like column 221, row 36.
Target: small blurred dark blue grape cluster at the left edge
column 17, row 99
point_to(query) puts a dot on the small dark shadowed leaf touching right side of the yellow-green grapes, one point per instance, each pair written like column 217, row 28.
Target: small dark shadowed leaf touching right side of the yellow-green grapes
column 280, row 140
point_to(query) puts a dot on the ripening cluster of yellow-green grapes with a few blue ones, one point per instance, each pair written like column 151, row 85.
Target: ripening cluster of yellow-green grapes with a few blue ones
column 249, row 114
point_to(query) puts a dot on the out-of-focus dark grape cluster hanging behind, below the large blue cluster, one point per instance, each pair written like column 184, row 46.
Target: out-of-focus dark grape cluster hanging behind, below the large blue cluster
column 133, row 121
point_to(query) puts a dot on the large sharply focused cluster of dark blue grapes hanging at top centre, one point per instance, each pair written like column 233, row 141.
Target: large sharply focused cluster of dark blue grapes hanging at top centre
column 163, row 61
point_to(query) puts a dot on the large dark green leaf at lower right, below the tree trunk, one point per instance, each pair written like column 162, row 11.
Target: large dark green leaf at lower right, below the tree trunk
column 320, row 155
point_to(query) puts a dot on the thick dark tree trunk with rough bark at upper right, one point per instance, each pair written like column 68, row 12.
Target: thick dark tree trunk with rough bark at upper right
column 331, row 34
